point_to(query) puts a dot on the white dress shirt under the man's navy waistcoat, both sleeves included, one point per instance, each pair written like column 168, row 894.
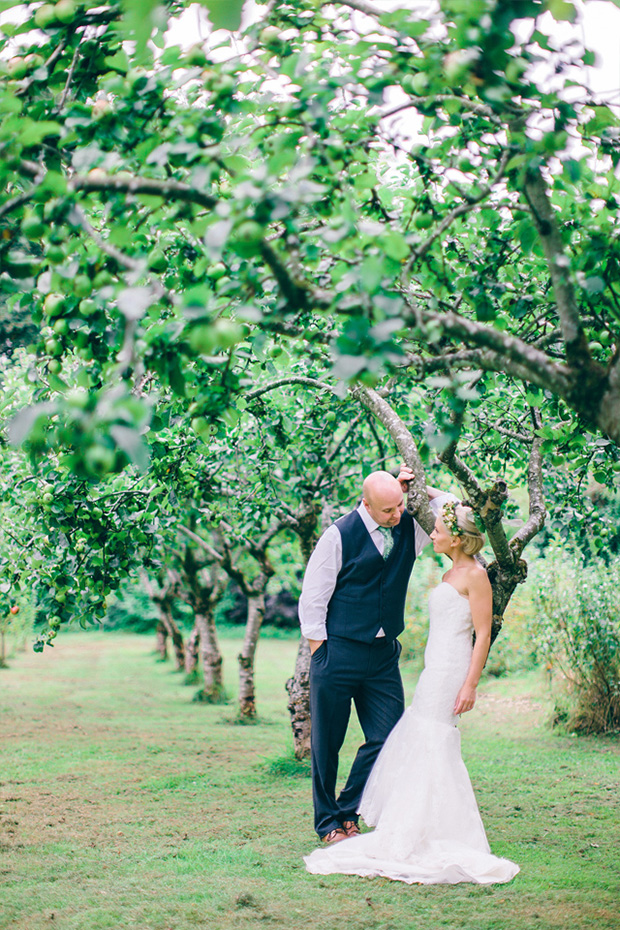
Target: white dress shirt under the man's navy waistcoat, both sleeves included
column 326, row 561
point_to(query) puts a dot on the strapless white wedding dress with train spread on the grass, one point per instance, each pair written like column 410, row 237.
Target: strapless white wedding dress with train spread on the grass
column 419, row 796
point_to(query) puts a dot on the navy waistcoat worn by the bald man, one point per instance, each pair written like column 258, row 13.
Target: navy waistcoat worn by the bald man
column 370, row 591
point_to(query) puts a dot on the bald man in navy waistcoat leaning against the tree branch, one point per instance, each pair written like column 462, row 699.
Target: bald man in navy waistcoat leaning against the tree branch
column 351, row 610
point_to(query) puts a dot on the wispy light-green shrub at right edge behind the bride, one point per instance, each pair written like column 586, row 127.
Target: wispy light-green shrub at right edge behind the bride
column 577, row 632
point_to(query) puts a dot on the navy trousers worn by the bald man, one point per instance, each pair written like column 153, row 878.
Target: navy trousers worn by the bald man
column 342, row 671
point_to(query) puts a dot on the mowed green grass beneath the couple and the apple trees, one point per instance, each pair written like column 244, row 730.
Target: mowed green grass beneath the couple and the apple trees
column 123, row 805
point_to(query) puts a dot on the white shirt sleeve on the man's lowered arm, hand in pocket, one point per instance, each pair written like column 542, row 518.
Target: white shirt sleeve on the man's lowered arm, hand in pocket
column 319, row 582
